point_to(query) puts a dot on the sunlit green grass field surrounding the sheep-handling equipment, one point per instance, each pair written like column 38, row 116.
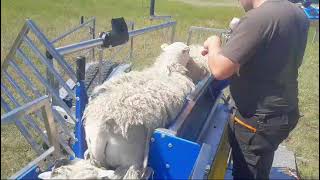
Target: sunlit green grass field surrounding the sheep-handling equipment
column 55, row 17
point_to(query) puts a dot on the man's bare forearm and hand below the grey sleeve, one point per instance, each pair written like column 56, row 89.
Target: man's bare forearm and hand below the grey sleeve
column 221, row 67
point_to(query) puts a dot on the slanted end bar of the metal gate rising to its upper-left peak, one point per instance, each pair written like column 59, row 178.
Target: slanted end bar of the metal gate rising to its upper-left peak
column 15, row 45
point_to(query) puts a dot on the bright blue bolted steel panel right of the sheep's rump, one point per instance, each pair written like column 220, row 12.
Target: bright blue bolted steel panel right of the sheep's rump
column 172, row 157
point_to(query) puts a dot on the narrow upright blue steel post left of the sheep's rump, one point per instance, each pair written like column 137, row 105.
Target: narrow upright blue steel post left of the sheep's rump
column 80, row 145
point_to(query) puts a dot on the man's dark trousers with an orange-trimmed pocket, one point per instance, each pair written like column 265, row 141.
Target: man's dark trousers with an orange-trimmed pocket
column 253, row 152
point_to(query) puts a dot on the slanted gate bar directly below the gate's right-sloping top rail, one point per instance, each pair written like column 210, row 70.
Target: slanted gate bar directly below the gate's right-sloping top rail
column 49, row 66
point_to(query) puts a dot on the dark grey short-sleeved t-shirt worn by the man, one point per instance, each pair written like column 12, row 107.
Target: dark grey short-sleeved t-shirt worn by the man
column 269, row 44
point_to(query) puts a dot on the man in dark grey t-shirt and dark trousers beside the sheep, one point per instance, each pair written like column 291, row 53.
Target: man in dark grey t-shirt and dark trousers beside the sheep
column 261, row 58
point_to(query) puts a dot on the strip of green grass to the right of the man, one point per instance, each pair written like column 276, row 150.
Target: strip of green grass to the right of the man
column 304, row 140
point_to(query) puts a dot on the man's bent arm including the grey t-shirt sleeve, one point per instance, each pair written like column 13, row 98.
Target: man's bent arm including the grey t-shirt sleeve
column 247, row 37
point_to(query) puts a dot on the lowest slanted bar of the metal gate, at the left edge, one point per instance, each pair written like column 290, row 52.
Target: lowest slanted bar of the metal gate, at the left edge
column 22, row 129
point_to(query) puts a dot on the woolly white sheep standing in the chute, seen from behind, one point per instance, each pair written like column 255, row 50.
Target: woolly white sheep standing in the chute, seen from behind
column 123, row 109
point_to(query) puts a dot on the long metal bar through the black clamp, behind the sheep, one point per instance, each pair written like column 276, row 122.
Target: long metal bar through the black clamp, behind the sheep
column 99, row 41
